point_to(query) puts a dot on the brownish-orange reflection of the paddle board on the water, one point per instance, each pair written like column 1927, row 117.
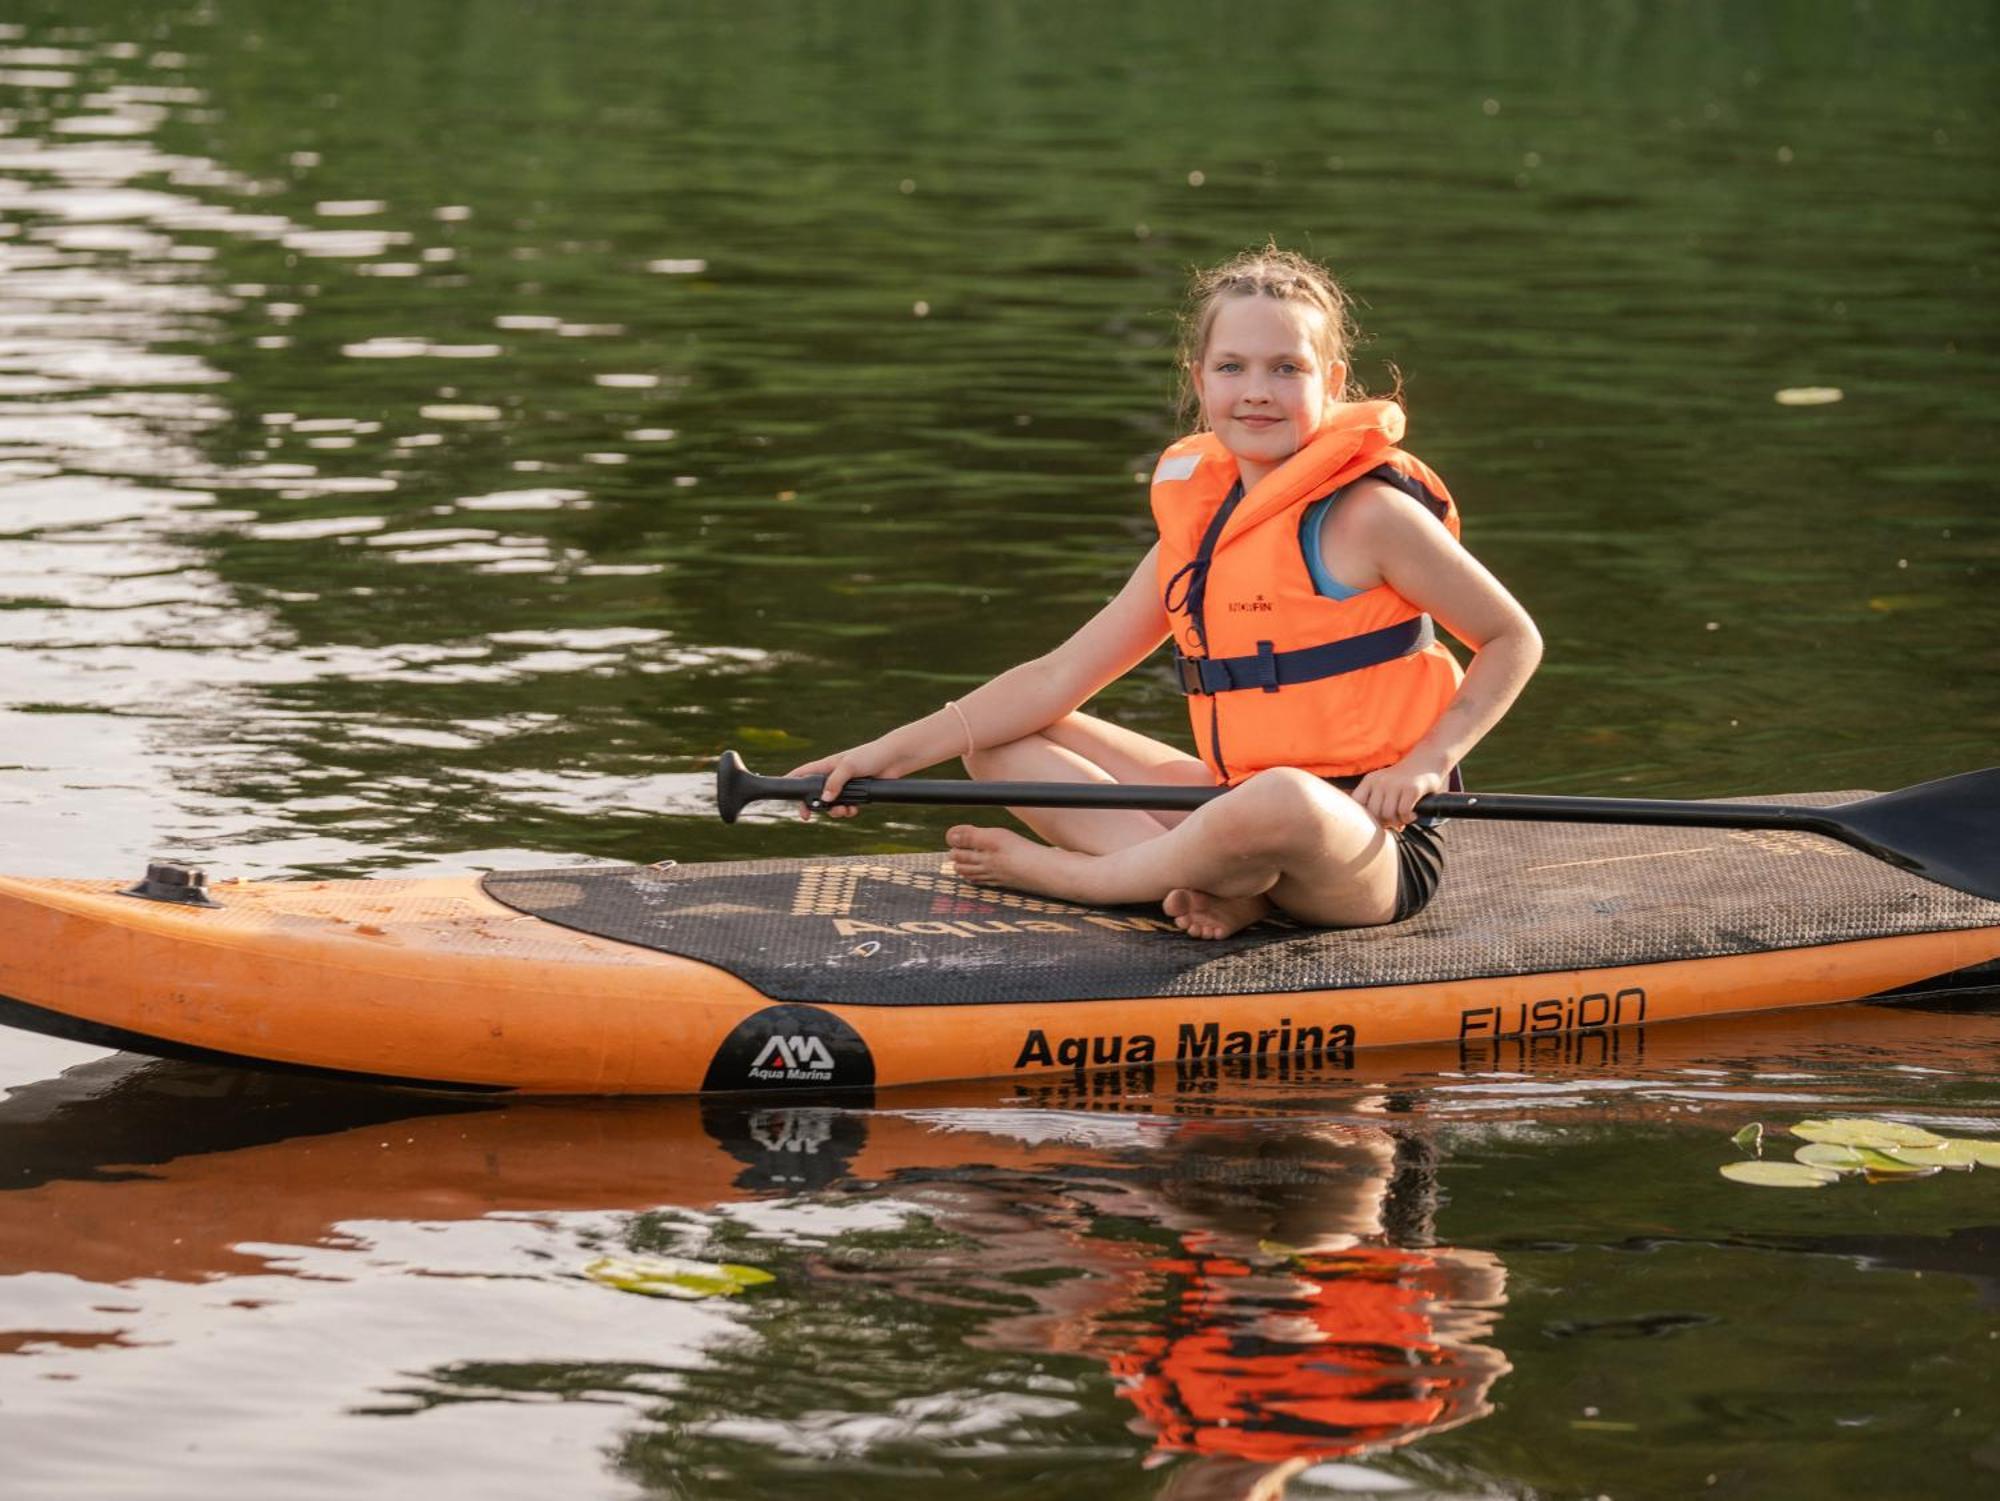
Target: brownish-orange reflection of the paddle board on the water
column 167, row 1172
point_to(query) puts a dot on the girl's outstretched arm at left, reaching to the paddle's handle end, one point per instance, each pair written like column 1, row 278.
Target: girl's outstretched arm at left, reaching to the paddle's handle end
column 1023, row 699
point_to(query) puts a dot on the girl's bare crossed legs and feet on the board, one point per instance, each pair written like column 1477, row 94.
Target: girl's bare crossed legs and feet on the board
column 1281, row 840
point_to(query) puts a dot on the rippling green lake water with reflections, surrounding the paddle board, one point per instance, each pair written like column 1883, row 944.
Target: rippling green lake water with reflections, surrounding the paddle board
column 433, row 431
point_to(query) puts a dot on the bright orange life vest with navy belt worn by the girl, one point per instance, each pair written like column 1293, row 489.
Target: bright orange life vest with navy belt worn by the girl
column 1277, row 673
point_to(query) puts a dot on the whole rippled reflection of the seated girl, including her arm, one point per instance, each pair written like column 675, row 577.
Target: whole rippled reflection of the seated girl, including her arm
column 1243, row 1292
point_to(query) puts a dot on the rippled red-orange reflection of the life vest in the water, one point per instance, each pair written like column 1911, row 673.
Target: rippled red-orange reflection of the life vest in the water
column 1335, row 1354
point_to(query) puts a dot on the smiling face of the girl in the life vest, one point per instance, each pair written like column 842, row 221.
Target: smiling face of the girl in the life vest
column 1261, row 383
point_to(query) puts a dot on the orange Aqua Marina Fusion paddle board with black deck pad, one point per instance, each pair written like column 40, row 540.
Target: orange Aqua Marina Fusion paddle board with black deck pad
column 863, row 972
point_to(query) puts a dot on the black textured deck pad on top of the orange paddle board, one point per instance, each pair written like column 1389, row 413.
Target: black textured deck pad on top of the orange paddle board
column 1517, row 900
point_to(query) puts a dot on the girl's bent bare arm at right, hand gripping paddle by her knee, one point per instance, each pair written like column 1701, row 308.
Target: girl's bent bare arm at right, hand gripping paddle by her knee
column 1385, row 537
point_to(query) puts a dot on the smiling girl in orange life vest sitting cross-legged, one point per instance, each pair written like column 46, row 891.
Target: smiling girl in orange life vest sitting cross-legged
column 1301, row 563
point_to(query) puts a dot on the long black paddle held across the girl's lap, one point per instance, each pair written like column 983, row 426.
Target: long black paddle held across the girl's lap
column 1947, row 832
